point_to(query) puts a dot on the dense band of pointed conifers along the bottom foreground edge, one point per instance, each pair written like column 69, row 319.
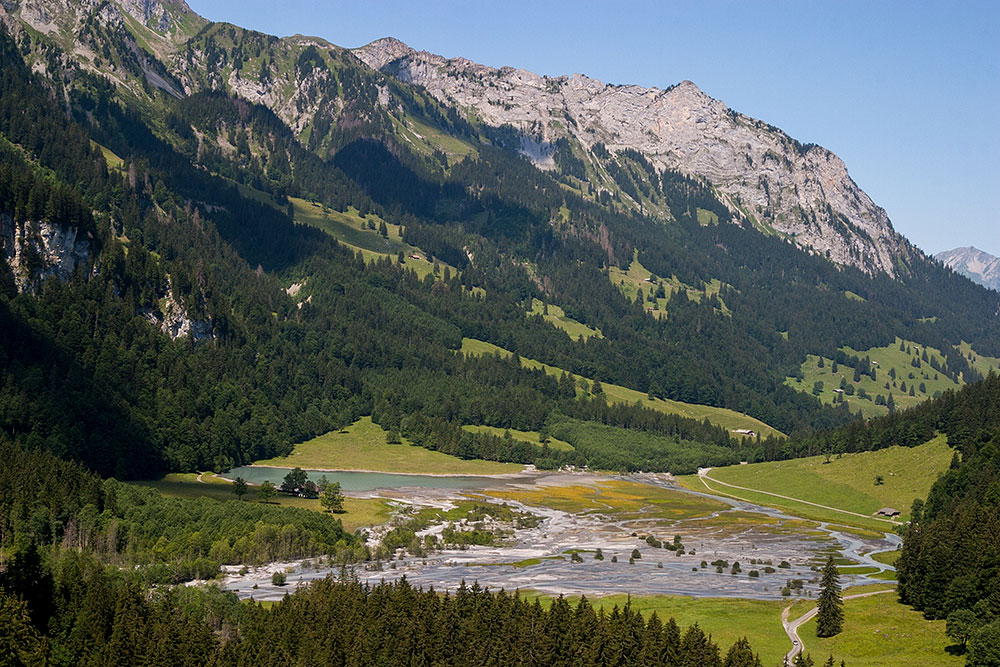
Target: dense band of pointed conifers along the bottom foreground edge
column 100, row 617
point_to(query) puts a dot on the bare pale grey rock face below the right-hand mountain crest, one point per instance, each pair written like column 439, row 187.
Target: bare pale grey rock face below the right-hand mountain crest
column 767, row 178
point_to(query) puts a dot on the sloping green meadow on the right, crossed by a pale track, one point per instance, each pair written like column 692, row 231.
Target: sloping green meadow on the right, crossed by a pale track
column 847, row 482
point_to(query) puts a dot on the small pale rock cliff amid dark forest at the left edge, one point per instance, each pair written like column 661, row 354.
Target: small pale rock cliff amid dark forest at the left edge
column 37, row 250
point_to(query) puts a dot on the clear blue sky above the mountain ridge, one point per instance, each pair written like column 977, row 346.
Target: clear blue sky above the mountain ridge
column 907, row 93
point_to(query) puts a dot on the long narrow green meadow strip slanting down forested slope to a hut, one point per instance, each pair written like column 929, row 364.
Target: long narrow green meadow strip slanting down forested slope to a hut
column 724, row 417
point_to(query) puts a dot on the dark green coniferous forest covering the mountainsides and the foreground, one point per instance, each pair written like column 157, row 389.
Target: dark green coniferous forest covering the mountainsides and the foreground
column 201, row 326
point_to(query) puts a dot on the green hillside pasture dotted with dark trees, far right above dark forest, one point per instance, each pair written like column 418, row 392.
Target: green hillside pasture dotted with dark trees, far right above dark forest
column 925, row 381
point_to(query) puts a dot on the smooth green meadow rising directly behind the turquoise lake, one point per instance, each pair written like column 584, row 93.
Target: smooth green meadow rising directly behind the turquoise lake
column 362, row 446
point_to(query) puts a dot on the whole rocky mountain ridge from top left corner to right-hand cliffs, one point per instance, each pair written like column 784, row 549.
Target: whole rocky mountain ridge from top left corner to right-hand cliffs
column 765, row 178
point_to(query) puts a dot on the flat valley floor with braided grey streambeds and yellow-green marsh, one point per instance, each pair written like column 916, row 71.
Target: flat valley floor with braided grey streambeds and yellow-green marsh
column 591, row 525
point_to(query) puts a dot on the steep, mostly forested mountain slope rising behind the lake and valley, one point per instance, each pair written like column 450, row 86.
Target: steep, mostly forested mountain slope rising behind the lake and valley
column 204, row 327
